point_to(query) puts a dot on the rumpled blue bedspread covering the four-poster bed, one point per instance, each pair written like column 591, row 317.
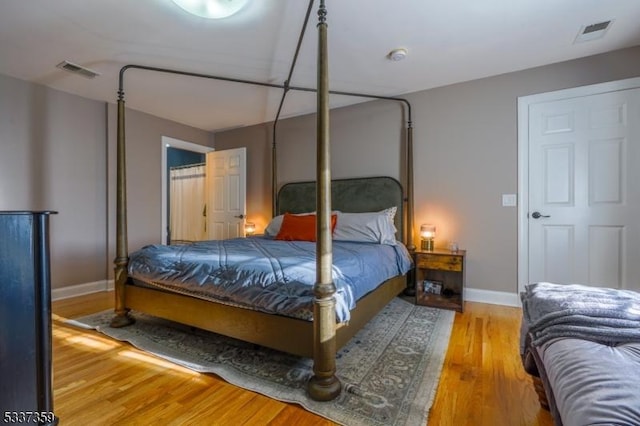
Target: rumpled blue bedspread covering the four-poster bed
column 268, row 275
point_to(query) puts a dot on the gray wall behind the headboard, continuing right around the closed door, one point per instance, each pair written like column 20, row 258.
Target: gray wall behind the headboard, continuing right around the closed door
column 465, row 142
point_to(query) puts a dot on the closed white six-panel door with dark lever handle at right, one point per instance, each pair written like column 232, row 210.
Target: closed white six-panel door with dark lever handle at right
column 584, row 190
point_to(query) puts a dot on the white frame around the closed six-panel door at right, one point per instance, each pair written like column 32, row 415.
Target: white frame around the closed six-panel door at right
column 524, row 102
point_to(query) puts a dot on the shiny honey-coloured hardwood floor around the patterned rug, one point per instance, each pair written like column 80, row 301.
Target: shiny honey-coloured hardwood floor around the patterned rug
column 98, row 381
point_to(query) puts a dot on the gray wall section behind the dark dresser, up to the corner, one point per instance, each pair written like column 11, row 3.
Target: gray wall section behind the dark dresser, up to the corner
column 52, row 157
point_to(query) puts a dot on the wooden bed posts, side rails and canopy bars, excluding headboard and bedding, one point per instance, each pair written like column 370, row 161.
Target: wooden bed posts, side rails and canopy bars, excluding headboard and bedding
column 318, row 339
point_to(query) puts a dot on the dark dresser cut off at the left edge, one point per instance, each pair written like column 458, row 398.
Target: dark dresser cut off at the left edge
column 26, row 394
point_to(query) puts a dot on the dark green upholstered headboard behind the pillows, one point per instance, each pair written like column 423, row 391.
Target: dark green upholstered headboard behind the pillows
column 356, row 195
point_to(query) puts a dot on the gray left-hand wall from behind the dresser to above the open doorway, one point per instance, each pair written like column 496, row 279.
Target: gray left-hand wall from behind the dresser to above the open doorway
column 53, row 156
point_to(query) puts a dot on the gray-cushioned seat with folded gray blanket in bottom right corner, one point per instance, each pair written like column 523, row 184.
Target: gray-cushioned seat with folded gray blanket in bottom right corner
column 581, row 344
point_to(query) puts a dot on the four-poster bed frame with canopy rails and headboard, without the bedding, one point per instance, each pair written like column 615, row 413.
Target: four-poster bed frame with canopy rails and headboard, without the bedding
column 321, row 337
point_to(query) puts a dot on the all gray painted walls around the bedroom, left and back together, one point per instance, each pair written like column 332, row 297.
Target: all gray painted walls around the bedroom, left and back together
column 58, row 152
